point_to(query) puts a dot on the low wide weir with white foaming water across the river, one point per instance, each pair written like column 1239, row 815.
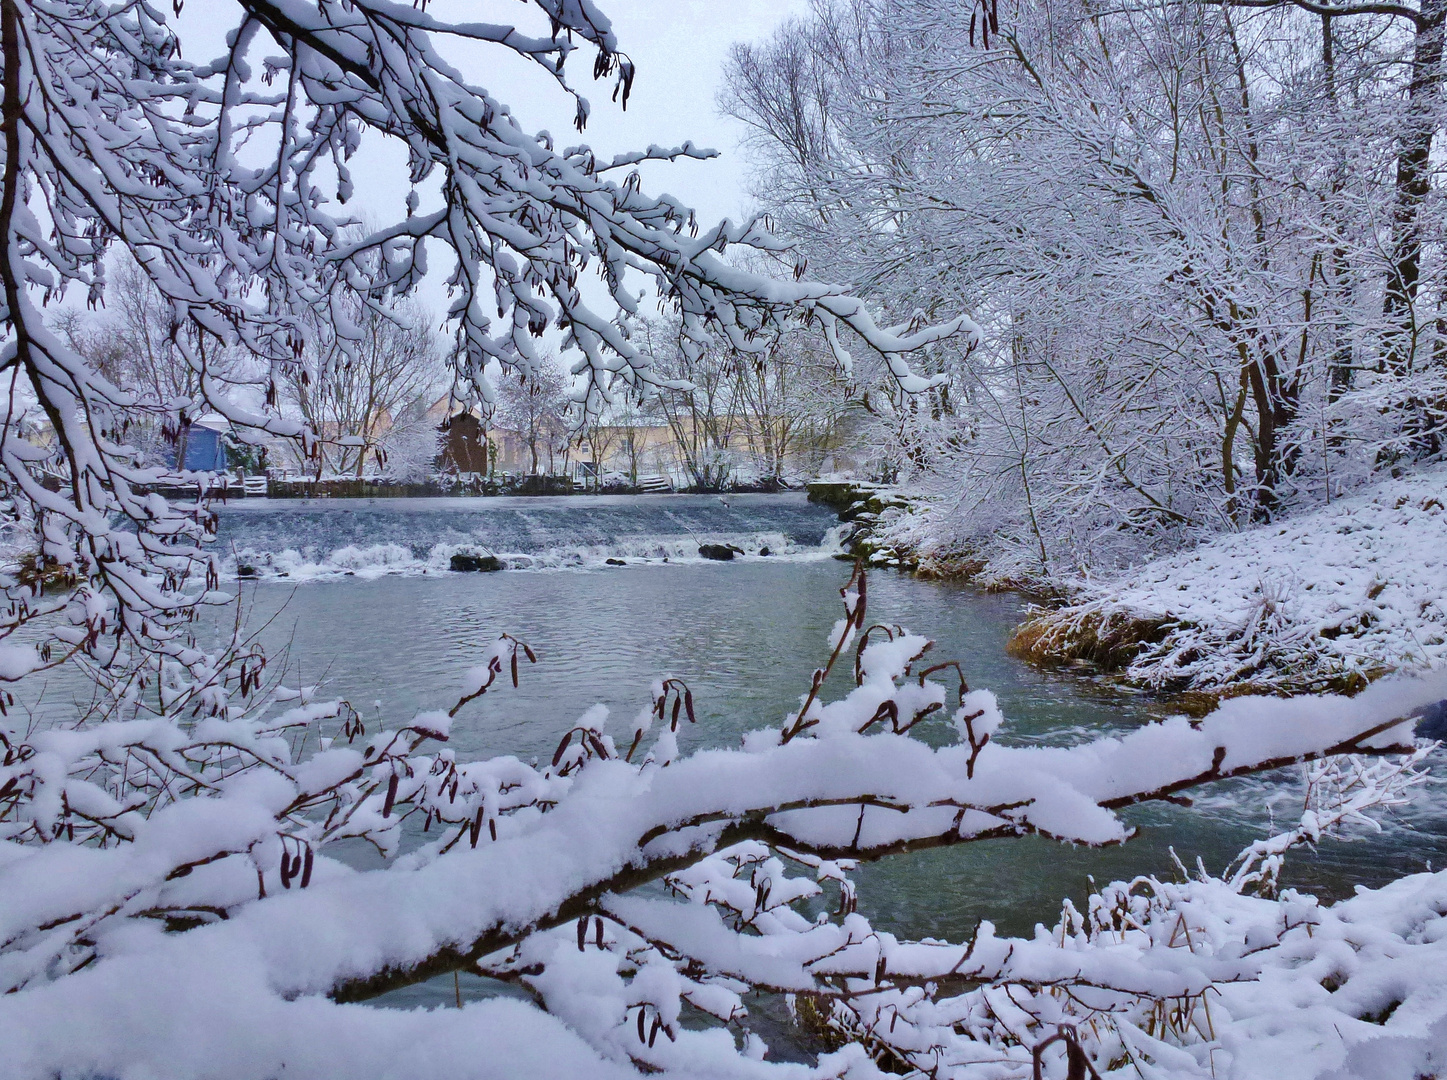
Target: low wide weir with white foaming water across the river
column 370, row 538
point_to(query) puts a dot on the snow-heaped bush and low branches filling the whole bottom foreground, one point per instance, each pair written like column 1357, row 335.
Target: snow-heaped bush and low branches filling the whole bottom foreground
column 169, row 904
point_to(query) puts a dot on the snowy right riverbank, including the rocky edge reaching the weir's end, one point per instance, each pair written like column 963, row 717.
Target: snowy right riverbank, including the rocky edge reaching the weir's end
column 1323, row 602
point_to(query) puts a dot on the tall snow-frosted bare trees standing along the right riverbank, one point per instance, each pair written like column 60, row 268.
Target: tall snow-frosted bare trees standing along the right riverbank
column 1203, row 240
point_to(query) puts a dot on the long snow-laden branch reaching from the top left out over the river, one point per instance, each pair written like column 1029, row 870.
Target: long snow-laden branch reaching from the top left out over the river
column 526, row 221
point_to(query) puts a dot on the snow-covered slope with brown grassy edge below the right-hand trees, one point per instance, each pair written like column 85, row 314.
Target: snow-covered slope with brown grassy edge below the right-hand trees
column 1351, row 590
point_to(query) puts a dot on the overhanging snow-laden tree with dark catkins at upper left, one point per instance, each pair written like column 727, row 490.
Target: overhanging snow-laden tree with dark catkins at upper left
column 226, row 182
